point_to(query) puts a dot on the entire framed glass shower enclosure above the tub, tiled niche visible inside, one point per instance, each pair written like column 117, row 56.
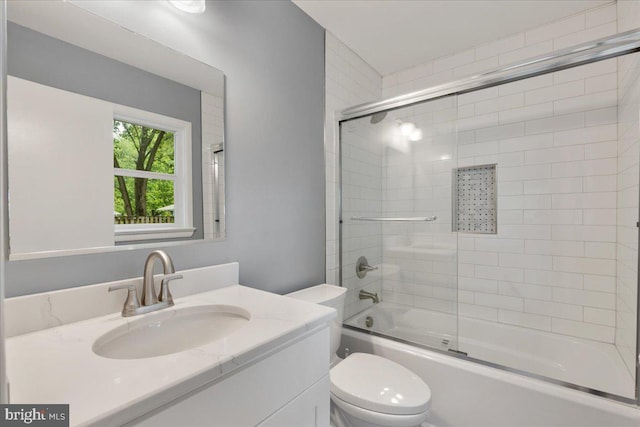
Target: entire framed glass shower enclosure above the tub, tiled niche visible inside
column 535, row 169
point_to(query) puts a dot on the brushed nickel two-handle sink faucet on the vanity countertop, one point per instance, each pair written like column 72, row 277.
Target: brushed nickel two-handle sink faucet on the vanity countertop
column 150, row 300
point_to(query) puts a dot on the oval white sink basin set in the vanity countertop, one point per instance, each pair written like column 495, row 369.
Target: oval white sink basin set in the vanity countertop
column 170, row 331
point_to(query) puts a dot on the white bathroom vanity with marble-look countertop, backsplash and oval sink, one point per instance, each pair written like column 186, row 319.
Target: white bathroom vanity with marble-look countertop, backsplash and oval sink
column 266, row 364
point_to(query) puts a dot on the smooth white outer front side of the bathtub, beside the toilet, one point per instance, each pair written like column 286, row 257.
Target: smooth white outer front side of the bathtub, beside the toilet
column 467, row 394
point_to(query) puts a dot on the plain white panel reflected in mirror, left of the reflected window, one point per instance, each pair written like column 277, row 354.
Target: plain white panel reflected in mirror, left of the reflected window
column 60, row 169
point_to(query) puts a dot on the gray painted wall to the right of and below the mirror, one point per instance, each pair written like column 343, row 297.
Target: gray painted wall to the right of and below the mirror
column 273, row 58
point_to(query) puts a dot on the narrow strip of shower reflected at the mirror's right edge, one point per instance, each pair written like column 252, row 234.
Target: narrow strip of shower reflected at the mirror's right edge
column 212, row 166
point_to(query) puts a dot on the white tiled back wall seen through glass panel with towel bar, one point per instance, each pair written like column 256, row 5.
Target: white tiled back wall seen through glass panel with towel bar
column 420, row 257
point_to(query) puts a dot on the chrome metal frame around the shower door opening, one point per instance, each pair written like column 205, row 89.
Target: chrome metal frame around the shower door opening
column 598, row 50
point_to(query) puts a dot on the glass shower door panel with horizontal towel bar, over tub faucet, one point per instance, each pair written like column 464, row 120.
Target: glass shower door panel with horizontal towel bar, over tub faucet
column 397, row 176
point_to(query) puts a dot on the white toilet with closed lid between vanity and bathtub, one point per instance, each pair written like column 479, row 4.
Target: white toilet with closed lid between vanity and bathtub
column 368, row 390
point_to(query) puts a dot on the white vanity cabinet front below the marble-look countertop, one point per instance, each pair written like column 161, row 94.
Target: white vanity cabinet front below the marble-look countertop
column 288, row 387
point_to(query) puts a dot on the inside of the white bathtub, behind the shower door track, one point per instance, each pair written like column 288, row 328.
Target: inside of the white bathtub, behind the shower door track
column 580, row 362
